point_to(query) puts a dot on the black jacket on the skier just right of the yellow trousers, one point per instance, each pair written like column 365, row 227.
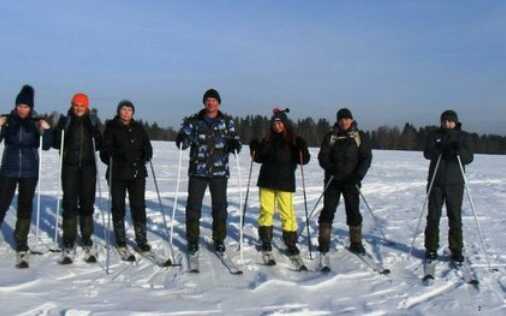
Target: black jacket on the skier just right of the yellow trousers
column 346, row 155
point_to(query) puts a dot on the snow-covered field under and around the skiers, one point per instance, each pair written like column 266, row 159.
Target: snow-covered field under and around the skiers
column 394, row 188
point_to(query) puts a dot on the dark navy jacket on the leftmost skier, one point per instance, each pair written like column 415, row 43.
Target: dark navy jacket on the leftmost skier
column 20, row 158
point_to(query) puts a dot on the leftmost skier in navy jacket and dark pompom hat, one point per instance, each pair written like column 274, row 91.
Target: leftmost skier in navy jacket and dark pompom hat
column 21, row 131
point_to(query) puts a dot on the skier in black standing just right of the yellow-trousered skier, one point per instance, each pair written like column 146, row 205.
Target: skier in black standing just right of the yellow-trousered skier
column 345, row 155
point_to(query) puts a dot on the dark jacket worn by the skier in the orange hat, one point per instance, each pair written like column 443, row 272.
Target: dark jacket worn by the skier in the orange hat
column 81, row 134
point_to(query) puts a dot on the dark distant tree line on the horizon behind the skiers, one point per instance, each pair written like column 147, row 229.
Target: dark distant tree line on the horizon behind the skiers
column 384, row 137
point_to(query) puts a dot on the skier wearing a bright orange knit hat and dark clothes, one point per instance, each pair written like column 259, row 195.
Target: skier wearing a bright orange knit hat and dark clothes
column 81, row 139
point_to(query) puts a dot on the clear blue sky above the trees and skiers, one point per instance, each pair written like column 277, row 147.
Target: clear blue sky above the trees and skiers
column 388, row 61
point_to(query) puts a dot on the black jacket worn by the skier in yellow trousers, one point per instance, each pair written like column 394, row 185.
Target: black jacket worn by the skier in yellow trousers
column 279, row 161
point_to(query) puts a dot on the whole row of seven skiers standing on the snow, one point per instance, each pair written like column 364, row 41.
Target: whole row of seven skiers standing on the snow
column 345, row 156
